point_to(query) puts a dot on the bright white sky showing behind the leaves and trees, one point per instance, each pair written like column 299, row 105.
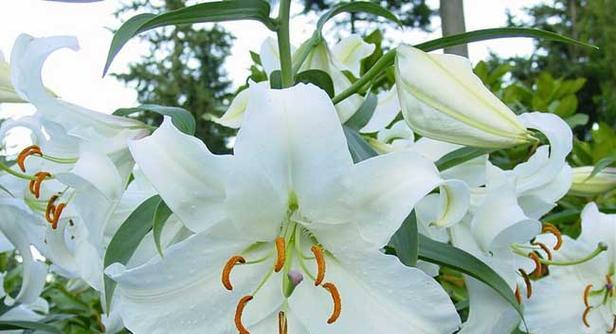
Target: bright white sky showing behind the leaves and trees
column 77, row 76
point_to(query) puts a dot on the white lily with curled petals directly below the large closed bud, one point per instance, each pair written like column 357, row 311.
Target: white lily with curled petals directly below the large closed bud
column 505, row 207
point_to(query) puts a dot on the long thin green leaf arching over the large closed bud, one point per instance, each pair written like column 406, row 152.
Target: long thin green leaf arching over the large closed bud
column 494, row 33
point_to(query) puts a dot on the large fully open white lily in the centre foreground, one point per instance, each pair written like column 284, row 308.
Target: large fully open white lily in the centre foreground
column 288, row 205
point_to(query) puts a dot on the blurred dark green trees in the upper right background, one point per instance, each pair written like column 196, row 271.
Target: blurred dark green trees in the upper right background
column 586, row 20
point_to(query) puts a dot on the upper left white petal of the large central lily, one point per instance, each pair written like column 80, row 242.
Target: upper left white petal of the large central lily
column 184, row 172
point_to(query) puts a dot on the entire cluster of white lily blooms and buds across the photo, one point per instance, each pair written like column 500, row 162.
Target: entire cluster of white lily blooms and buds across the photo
column 287, row 234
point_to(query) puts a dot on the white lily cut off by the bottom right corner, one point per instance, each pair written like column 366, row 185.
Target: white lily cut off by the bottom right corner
column 579, row 298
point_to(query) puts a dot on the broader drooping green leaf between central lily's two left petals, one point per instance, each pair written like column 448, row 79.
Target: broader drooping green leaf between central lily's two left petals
column 127, row 238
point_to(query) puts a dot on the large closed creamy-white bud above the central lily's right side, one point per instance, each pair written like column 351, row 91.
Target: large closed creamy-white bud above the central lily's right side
column 441, row 98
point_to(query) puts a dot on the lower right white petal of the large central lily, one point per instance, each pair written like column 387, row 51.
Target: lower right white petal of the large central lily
column 381, row 281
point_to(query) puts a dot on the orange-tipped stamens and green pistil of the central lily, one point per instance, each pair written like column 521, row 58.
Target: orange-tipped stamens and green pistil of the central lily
column 286, row 250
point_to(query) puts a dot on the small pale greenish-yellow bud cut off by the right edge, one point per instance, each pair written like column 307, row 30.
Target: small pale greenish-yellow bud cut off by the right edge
column 584, row 185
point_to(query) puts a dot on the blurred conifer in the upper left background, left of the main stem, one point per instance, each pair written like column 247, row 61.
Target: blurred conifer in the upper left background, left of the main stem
column 184, row 67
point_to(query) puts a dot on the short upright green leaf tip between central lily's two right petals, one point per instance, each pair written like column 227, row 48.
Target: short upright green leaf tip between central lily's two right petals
column 406, row 241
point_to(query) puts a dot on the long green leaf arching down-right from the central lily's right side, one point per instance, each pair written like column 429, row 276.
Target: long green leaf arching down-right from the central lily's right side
column 455, row 258
